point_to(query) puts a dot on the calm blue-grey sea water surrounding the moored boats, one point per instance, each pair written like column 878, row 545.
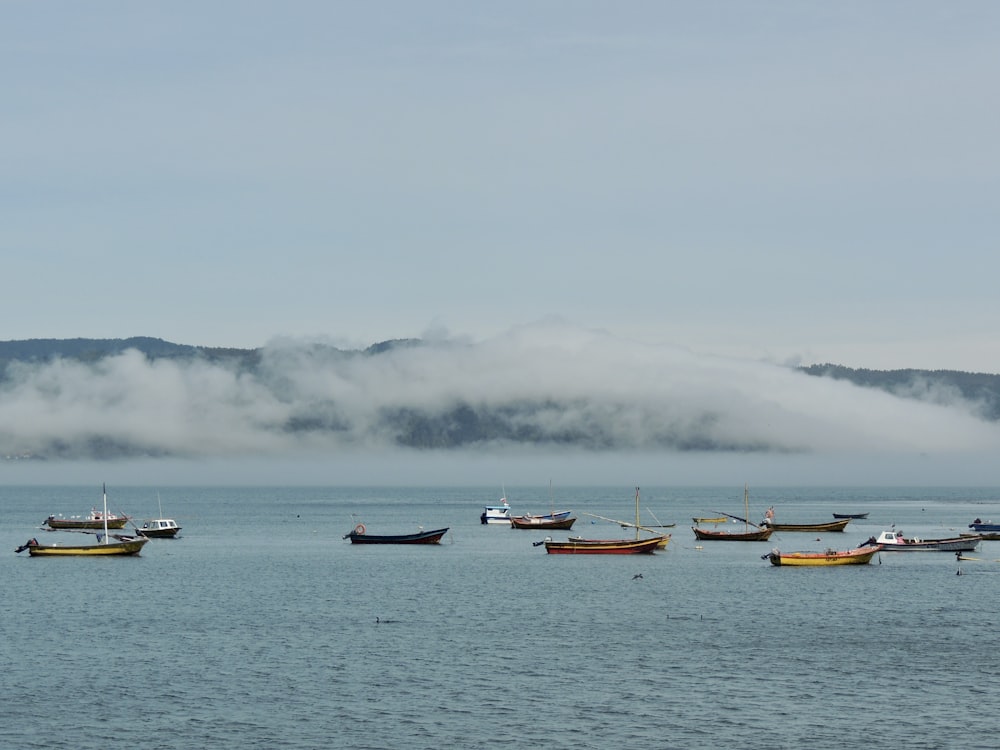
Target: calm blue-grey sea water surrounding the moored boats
column 256, row 628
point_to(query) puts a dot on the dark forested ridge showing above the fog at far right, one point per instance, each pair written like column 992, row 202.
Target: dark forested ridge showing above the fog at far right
column 926, row 385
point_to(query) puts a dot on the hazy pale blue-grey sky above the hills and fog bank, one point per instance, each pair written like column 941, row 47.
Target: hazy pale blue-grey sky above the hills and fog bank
column 794, row 181
